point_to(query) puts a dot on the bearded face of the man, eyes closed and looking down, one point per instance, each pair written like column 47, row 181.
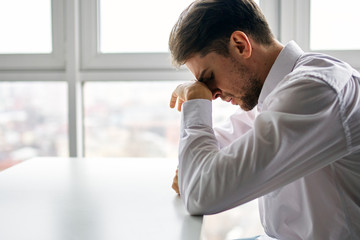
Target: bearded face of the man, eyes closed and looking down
column 227, row 78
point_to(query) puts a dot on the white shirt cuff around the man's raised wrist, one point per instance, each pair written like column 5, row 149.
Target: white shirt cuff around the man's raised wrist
column 196, row 112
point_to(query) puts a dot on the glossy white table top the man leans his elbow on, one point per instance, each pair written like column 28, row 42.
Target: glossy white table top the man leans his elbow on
column 93, row 199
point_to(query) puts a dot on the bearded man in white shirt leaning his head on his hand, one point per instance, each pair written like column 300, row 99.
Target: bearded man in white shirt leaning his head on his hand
column 300, row 155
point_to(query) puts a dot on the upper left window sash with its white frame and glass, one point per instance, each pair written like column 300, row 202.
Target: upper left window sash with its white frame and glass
column 32, row 34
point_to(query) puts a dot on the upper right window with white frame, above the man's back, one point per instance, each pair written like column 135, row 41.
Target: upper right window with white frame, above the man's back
column 322, row 26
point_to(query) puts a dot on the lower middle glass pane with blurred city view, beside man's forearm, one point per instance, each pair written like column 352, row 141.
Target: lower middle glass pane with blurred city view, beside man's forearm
column 133, row 119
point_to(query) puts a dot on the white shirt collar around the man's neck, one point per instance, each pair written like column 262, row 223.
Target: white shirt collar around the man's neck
column 282, row 66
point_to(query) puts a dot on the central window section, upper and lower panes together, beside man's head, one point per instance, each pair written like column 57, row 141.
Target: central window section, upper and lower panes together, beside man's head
column 130, row 39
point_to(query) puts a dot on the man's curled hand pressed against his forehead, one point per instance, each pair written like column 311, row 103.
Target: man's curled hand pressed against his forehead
column 188, row 91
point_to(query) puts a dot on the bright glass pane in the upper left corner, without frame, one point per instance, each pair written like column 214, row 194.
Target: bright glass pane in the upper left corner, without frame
column 25, row 26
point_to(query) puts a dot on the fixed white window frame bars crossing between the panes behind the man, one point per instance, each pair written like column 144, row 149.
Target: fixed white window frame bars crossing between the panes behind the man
column 75, row 58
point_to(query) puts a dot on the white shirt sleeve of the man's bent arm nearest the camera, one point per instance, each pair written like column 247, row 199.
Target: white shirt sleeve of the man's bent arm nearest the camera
column 300, row 132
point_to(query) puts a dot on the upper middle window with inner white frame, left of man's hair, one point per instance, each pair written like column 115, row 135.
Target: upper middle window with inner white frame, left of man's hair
column 115, row 30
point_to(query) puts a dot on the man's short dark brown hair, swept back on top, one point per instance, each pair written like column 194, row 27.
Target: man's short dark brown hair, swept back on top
column 206, row 26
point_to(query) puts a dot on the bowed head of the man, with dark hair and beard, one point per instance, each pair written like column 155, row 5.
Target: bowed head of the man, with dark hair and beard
column 228, row 46
